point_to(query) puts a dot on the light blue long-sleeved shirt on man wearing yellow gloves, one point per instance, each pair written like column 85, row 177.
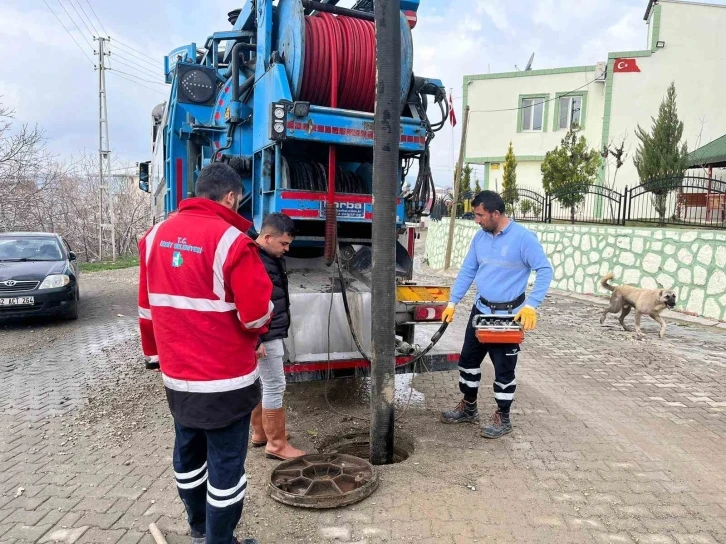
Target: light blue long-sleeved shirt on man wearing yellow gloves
column 500, row 267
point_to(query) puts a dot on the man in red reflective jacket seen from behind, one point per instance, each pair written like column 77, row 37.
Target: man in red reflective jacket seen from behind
column 204, row 299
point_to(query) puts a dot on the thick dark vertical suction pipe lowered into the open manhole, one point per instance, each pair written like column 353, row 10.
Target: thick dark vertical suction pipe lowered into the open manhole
column 386, row 160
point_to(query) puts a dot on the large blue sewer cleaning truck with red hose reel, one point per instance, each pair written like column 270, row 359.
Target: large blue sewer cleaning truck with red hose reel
column 286, row 98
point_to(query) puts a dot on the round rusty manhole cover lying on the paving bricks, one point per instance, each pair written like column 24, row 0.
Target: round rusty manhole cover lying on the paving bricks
column 323, row 480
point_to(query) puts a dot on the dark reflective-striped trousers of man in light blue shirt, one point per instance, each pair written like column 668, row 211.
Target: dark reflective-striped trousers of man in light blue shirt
column 504, row 358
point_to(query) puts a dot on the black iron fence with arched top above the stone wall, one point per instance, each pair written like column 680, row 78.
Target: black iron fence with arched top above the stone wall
column 676, row 201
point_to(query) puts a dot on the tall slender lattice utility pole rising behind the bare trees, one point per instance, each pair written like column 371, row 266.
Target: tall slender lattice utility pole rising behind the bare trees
column 104, row 155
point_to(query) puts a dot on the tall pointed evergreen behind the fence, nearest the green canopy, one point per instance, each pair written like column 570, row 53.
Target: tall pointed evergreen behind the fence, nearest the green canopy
column 661, row 159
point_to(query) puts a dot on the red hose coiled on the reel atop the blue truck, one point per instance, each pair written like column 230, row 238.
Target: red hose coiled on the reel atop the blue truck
column 348, row 45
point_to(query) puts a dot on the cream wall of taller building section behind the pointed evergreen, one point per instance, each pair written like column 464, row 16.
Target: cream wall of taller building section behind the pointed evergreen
column 693, row 57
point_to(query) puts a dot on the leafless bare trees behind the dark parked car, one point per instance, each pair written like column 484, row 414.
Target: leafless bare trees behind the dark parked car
column 40, row 193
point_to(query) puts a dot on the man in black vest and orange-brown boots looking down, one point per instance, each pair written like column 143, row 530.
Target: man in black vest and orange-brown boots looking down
column 268, row 418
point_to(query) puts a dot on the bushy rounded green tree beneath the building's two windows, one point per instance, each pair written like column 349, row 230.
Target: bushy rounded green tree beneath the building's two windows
column 569, row 170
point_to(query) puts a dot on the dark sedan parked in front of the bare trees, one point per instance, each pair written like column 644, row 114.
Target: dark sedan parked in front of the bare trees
column 38, row 276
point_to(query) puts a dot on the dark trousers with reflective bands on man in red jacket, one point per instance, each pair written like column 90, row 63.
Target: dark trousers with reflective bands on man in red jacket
column 209, row 467
